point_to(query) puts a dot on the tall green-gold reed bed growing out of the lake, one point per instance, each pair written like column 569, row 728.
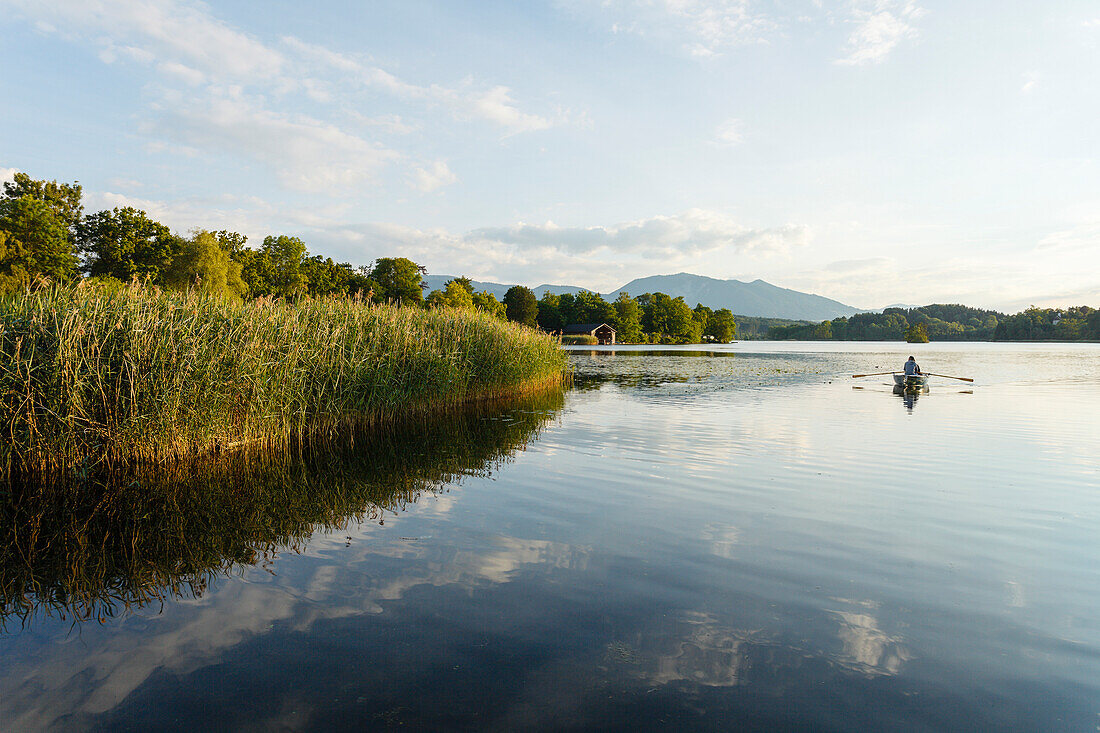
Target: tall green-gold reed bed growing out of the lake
column 92, row 377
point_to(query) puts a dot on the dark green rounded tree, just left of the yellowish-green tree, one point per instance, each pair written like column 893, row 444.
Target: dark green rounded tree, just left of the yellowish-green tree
column 126, row 244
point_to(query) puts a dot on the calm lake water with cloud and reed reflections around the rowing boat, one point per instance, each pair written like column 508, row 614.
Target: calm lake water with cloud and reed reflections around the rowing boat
column 743, row 538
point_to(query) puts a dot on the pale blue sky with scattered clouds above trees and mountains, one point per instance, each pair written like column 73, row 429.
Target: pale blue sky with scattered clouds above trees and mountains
column 872, row 151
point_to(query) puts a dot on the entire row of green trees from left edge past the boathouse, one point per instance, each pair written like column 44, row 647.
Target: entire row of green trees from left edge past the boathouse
column 46, row 236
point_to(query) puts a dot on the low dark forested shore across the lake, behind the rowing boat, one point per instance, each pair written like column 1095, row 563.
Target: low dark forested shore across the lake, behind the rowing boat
column 952, row 323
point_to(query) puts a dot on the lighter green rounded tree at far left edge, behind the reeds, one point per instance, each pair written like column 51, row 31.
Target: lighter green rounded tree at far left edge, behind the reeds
column 37, row 242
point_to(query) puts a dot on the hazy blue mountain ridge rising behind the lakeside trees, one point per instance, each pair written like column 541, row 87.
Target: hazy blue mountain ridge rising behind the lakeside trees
column 756, row 299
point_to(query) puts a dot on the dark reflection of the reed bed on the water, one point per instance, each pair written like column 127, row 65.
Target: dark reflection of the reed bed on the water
column 105, row 546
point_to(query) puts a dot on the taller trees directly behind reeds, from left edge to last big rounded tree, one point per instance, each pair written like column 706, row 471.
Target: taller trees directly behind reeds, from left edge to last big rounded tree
column 45, row 234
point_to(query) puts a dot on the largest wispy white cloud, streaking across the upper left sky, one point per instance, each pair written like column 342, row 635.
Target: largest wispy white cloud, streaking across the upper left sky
column 219, row 89
